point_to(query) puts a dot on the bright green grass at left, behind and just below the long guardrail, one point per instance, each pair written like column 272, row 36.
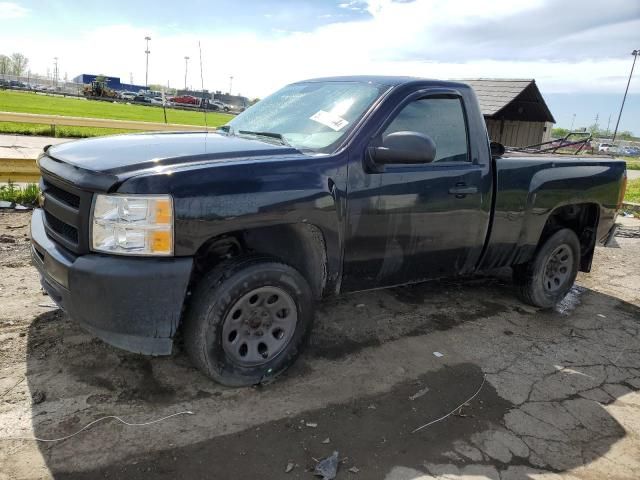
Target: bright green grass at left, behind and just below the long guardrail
column 29, row 102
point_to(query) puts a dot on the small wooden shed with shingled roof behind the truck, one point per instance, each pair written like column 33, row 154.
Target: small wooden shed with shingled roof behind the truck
column 514, row 110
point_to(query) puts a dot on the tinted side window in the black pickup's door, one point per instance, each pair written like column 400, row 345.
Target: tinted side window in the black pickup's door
column 440, row 118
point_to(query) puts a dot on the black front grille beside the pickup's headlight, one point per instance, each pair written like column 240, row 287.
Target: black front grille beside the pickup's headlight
column 66, row 213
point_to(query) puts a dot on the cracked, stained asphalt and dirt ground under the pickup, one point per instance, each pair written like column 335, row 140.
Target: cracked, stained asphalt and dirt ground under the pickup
column 560, row 400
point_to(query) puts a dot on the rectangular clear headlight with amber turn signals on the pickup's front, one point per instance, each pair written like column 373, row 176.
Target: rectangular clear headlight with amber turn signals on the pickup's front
column 132, row 225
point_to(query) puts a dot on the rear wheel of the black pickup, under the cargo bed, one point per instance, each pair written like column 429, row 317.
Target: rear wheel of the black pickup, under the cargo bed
column 535, row 285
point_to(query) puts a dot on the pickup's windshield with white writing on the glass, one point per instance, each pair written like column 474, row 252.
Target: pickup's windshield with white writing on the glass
column 308, row 116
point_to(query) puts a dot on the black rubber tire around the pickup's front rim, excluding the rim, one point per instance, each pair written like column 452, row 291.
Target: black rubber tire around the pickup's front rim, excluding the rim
column 217, row 293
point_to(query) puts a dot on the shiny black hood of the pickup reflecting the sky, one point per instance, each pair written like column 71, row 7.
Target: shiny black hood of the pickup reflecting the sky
column 122, row 154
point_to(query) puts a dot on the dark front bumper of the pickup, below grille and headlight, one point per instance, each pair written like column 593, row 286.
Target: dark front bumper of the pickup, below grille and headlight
column 131, row 303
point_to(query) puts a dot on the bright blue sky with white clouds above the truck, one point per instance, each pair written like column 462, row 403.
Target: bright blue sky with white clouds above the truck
column 578, row 51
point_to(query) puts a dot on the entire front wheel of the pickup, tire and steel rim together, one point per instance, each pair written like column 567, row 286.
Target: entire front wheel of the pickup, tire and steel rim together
column 248, row 320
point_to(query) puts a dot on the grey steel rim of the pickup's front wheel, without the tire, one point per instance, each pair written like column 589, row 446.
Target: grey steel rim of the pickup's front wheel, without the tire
column 259, row 326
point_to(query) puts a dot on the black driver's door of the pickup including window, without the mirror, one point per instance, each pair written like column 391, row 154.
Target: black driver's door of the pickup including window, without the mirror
column 412, row 222
